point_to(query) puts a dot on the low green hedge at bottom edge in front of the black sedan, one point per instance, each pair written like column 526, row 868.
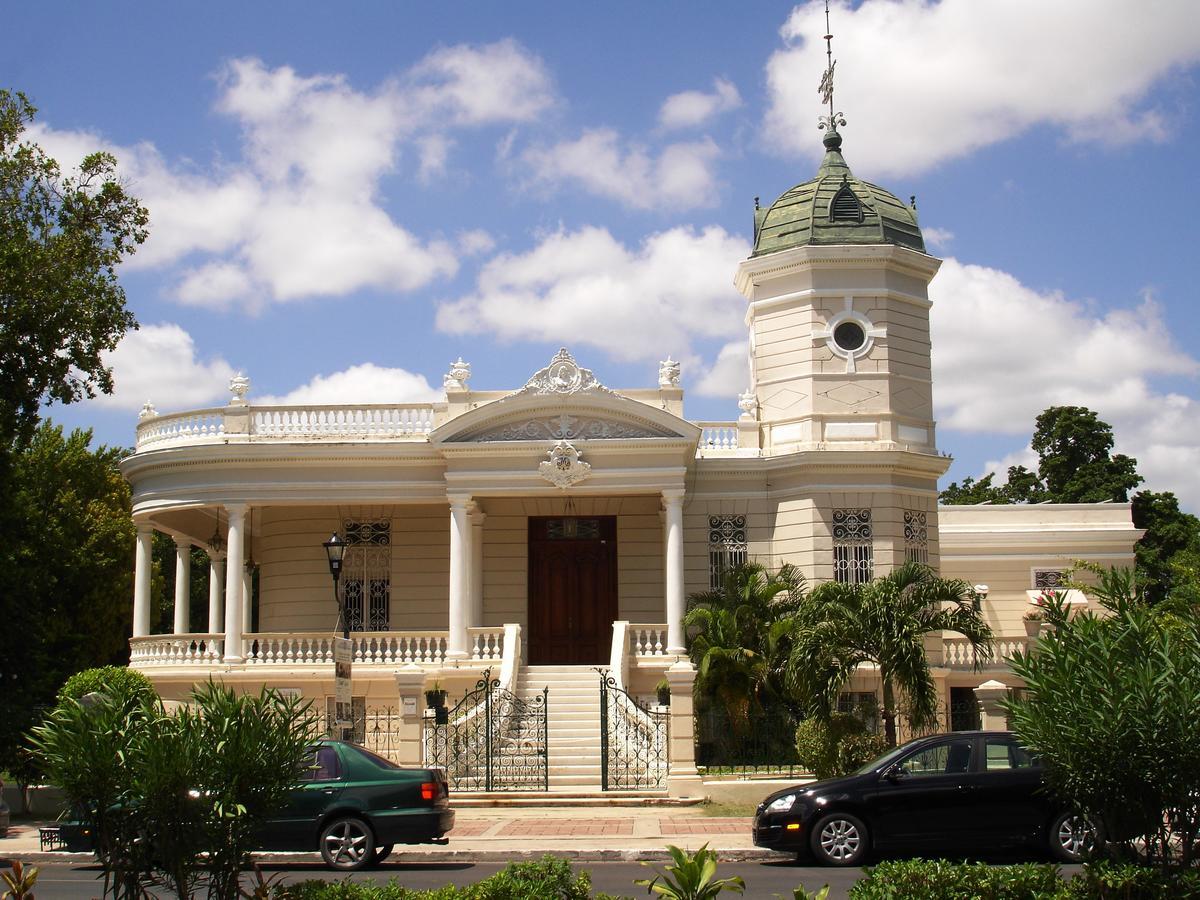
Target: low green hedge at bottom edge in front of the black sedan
column 940, row 880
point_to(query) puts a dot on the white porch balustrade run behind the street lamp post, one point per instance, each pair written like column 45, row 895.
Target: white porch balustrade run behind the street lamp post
column 387, row 649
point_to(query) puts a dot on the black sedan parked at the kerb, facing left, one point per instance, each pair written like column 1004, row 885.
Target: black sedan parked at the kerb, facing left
column 968, row 791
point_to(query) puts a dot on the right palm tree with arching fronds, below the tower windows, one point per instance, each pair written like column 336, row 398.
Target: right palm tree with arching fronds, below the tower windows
column 883, row 622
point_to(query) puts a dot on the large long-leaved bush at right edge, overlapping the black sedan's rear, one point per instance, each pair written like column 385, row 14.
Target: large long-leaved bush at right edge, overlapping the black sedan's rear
column 1123, row 745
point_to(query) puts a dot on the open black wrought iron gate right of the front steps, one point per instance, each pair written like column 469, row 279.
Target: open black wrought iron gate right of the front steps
column 633, row 741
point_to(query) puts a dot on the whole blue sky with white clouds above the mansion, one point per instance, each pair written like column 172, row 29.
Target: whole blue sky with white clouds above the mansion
column 345, row 199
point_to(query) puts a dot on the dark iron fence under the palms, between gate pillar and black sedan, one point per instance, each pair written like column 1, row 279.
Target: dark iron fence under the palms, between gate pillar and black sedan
column 757, row 743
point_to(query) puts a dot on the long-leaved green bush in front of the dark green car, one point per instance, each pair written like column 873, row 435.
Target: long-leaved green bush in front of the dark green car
column 176, row 799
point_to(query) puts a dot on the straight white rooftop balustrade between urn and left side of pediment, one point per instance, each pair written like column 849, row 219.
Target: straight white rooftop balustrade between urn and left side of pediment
column 351, row 422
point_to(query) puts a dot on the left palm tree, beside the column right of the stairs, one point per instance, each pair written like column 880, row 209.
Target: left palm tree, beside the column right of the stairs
column 739, row 661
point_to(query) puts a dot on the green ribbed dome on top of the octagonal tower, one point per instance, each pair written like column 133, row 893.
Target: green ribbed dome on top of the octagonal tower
column 836, row 208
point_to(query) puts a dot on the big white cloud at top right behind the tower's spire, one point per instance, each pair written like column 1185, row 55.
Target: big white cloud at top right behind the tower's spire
column 922, row 82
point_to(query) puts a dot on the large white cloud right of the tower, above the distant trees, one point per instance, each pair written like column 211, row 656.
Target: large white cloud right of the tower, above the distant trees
column 1005, row 352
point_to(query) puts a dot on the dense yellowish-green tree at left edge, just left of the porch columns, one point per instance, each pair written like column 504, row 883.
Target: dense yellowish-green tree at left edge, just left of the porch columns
column 65, row 574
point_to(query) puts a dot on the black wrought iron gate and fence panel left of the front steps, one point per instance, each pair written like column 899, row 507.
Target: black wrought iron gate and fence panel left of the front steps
column 493, row 741
